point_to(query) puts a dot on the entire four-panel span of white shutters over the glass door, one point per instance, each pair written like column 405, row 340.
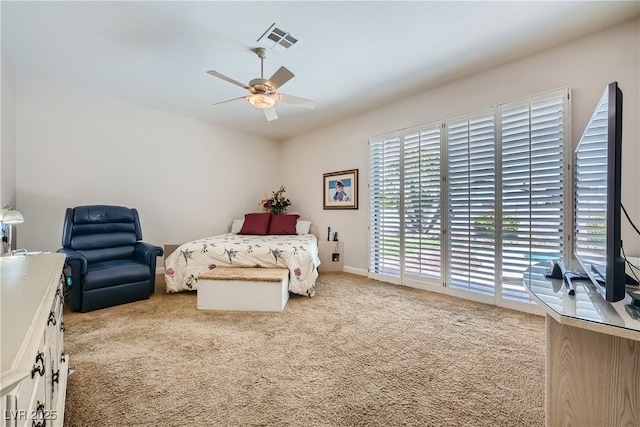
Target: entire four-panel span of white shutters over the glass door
column 465, row 205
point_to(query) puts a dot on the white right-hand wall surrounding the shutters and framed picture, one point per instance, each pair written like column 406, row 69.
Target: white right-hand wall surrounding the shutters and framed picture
column 586, row 65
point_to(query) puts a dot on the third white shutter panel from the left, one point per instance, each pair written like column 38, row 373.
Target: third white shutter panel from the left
column 471, row 202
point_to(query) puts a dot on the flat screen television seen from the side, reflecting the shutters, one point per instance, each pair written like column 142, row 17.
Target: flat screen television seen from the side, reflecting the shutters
column 597, row 179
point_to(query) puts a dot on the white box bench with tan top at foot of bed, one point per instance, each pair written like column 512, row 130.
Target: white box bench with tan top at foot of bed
column 243, row 289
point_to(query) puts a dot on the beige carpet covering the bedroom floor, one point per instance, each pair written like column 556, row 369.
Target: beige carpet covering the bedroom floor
column 359, row 353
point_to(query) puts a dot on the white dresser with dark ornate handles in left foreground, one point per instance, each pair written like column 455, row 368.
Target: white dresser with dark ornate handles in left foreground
column 33, row 379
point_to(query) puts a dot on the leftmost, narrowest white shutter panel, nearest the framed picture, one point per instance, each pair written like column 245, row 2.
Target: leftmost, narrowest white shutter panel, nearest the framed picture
column 385, row 188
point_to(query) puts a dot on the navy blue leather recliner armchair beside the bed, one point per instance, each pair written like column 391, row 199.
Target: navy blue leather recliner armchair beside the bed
column 109, row 263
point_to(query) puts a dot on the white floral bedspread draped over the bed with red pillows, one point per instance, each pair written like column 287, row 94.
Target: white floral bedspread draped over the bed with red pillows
column 298, row 253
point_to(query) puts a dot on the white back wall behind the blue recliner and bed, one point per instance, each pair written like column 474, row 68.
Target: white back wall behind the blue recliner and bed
column 187, row 178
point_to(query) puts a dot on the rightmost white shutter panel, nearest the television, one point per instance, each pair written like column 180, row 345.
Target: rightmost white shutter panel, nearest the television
column 532, row 186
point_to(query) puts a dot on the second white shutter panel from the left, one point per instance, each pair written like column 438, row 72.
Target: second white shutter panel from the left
column 421, row 202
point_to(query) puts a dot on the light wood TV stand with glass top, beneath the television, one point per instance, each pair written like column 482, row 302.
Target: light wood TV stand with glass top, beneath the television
column 592, row 354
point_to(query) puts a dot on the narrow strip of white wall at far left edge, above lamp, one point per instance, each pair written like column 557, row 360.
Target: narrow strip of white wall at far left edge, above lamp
column 8, row 132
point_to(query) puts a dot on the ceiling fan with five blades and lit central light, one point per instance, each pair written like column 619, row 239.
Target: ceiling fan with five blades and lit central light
column 263, row 93
